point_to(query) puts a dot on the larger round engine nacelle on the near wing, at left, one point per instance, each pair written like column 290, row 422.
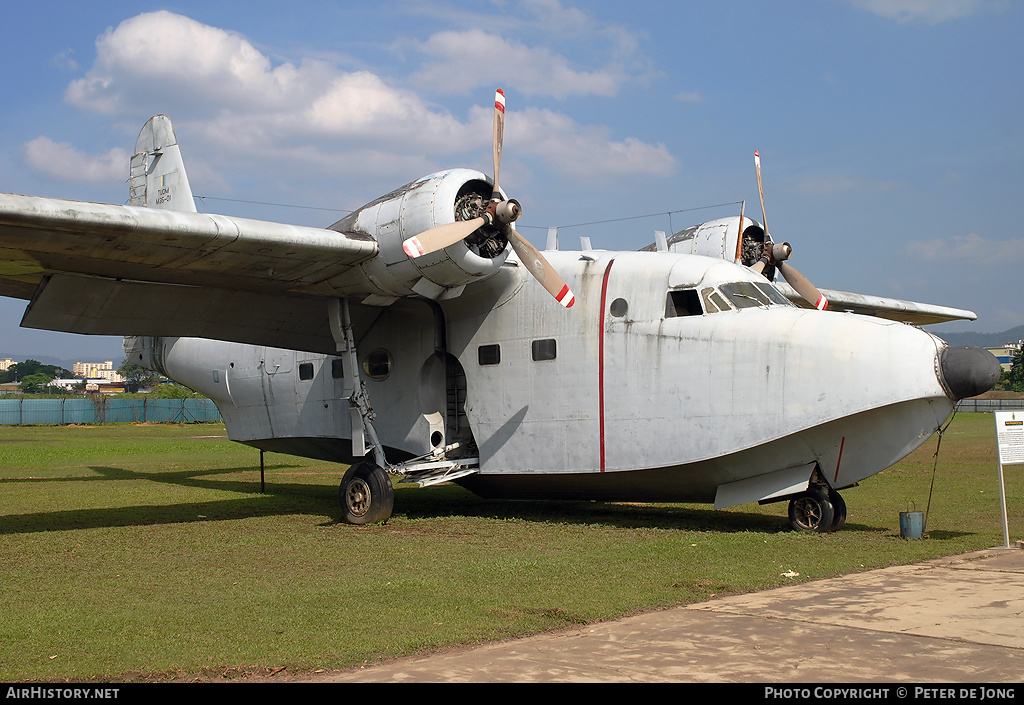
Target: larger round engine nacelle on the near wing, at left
column 432, row 201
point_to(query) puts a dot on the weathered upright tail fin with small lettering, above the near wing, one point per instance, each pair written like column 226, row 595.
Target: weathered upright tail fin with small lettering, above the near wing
column 158, row 175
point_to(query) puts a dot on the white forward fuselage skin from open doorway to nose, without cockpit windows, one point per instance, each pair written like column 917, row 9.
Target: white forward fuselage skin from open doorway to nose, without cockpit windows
column 693, row 402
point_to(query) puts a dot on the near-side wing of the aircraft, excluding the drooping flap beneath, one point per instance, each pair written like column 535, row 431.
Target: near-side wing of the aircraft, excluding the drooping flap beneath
column 40, row 236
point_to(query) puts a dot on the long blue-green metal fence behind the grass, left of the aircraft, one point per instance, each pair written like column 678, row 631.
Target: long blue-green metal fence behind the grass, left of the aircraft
column 106, row 410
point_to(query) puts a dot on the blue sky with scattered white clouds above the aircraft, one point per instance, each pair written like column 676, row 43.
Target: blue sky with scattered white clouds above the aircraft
column 890, row 132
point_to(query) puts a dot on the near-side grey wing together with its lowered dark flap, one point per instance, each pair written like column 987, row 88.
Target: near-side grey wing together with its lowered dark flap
column 108, row 270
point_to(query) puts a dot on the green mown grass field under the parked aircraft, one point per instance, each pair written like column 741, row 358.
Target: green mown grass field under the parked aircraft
column 148, row 552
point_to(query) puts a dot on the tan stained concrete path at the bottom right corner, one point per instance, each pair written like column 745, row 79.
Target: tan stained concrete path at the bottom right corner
column 959, row 619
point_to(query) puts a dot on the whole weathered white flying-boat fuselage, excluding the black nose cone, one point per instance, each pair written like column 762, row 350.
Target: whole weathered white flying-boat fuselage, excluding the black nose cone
column 638, row 393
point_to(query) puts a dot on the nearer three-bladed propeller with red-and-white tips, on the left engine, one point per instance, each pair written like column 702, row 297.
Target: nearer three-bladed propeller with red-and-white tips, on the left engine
column 501, row 214
